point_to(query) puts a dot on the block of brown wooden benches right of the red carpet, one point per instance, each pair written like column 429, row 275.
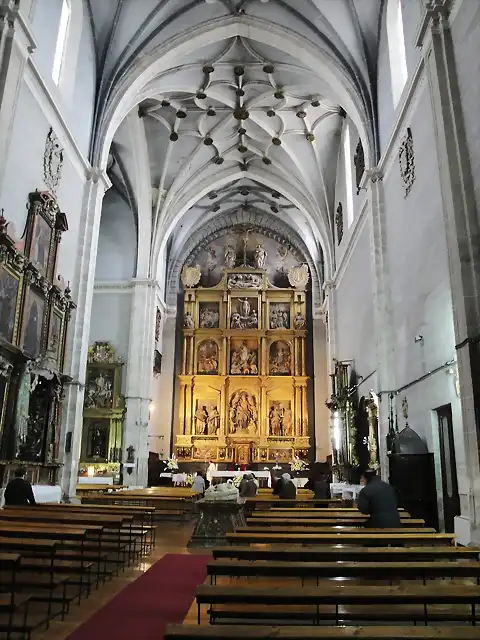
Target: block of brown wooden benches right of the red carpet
column 340, row 552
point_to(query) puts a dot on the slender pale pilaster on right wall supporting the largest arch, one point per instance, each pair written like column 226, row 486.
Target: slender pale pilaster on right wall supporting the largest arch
column 383, row 326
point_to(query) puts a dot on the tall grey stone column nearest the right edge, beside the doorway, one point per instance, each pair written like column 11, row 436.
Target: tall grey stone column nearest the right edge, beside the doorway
column 463, row 234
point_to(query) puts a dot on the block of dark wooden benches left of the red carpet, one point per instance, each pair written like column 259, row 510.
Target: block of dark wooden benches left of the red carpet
column 54, row 554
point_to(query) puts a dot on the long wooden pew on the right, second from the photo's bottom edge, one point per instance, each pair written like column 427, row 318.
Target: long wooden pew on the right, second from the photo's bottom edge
column 341, row 596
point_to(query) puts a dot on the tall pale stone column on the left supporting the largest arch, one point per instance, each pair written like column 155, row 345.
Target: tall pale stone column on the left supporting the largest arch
column 79, row 330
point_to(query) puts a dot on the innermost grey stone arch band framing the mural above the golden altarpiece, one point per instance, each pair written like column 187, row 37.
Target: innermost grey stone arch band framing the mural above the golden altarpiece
column 271, row 227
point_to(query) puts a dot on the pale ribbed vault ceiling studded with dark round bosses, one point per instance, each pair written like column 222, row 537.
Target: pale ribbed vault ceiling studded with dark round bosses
column 236, row 122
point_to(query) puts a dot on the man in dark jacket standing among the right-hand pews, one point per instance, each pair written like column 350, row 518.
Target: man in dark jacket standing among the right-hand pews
column 377, row 499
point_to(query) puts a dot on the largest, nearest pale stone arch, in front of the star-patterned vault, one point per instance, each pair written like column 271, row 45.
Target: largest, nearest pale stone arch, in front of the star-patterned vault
column 125, row 95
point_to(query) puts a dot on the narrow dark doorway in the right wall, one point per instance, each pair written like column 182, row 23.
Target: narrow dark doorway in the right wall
column 451, row 499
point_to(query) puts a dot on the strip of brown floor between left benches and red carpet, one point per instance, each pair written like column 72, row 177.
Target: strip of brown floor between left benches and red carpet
column 171, row 538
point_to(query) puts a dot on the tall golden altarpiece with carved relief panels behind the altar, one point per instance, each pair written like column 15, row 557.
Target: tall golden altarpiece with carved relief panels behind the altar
column 243, row 385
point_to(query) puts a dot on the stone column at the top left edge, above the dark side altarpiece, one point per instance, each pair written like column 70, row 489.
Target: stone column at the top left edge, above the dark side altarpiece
column 16, row 45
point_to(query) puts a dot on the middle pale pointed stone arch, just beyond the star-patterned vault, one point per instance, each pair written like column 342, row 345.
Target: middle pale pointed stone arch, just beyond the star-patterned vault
column 316, row 220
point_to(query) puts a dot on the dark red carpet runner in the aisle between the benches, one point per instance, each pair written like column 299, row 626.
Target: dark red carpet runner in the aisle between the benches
column 161, row 596
